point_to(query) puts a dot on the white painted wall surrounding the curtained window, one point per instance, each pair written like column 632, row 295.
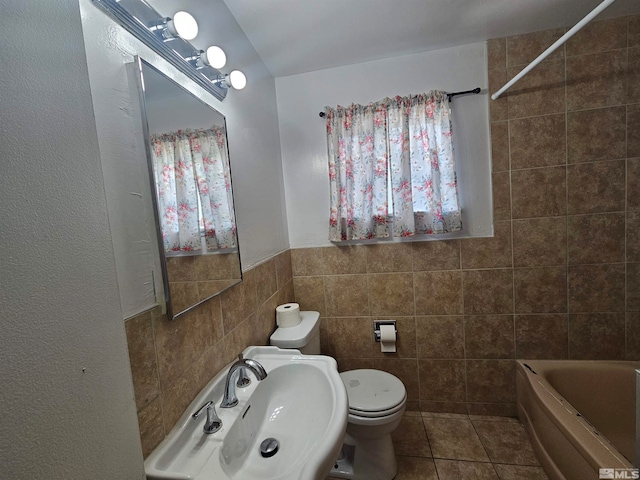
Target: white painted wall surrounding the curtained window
column 303, row 139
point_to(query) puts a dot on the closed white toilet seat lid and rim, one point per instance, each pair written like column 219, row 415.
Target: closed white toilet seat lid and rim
column 373, row 393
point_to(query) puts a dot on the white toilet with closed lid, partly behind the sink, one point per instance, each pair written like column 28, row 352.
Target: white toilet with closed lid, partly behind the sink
column 377, row 401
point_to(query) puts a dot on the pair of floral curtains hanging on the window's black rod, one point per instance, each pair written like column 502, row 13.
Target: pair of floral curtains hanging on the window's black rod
column 413, row 134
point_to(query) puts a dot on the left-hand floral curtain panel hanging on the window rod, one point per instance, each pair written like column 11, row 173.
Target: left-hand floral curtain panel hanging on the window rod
column 358, row 156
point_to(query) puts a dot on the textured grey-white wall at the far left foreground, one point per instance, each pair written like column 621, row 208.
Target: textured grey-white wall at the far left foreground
column 66, row 399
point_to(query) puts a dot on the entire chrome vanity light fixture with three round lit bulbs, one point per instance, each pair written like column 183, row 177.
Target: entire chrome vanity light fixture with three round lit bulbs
column 169, row 38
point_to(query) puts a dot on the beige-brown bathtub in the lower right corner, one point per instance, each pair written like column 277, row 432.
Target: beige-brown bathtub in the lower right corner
column 579, row 414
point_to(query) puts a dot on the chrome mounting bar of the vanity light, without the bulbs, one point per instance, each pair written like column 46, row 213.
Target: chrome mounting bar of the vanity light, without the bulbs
column 174, row 51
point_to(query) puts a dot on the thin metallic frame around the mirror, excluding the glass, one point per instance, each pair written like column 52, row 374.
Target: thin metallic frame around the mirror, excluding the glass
column 137, row 66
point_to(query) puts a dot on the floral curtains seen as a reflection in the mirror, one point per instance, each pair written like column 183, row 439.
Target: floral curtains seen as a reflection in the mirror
column 192, row 177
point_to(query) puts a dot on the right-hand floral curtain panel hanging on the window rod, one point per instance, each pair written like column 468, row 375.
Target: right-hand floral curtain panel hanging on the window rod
column 423, row 176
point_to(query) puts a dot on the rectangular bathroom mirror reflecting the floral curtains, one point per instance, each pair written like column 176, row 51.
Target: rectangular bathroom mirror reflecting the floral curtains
column 188, row 159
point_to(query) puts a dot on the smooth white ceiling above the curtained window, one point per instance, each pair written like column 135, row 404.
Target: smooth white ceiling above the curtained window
column 296, row 36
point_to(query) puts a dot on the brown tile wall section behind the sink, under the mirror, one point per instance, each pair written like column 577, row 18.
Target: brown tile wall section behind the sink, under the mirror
column 171, row 361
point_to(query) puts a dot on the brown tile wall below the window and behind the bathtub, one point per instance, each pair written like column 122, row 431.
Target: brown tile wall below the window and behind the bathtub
column 561, row 276
